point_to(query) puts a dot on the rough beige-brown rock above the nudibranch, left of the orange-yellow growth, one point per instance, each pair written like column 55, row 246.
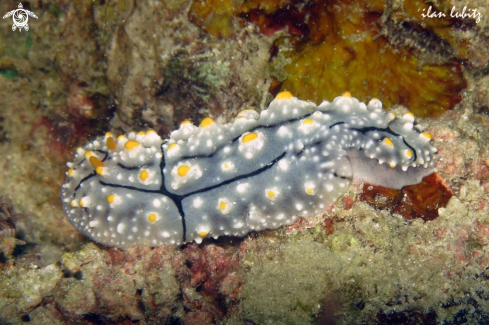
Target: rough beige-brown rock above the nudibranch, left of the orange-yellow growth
column 161, row 81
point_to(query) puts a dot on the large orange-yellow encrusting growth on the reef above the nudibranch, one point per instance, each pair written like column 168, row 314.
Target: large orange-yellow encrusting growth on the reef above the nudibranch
column 339, row 49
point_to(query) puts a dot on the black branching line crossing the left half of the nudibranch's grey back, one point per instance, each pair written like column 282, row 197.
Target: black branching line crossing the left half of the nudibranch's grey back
column 177, row 199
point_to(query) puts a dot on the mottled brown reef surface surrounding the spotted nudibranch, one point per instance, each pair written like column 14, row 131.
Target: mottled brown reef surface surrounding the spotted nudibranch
column 380, row 256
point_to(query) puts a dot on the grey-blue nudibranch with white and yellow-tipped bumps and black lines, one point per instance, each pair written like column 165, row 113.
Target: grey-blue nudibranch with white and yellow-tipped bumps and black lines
column 261, row 171
